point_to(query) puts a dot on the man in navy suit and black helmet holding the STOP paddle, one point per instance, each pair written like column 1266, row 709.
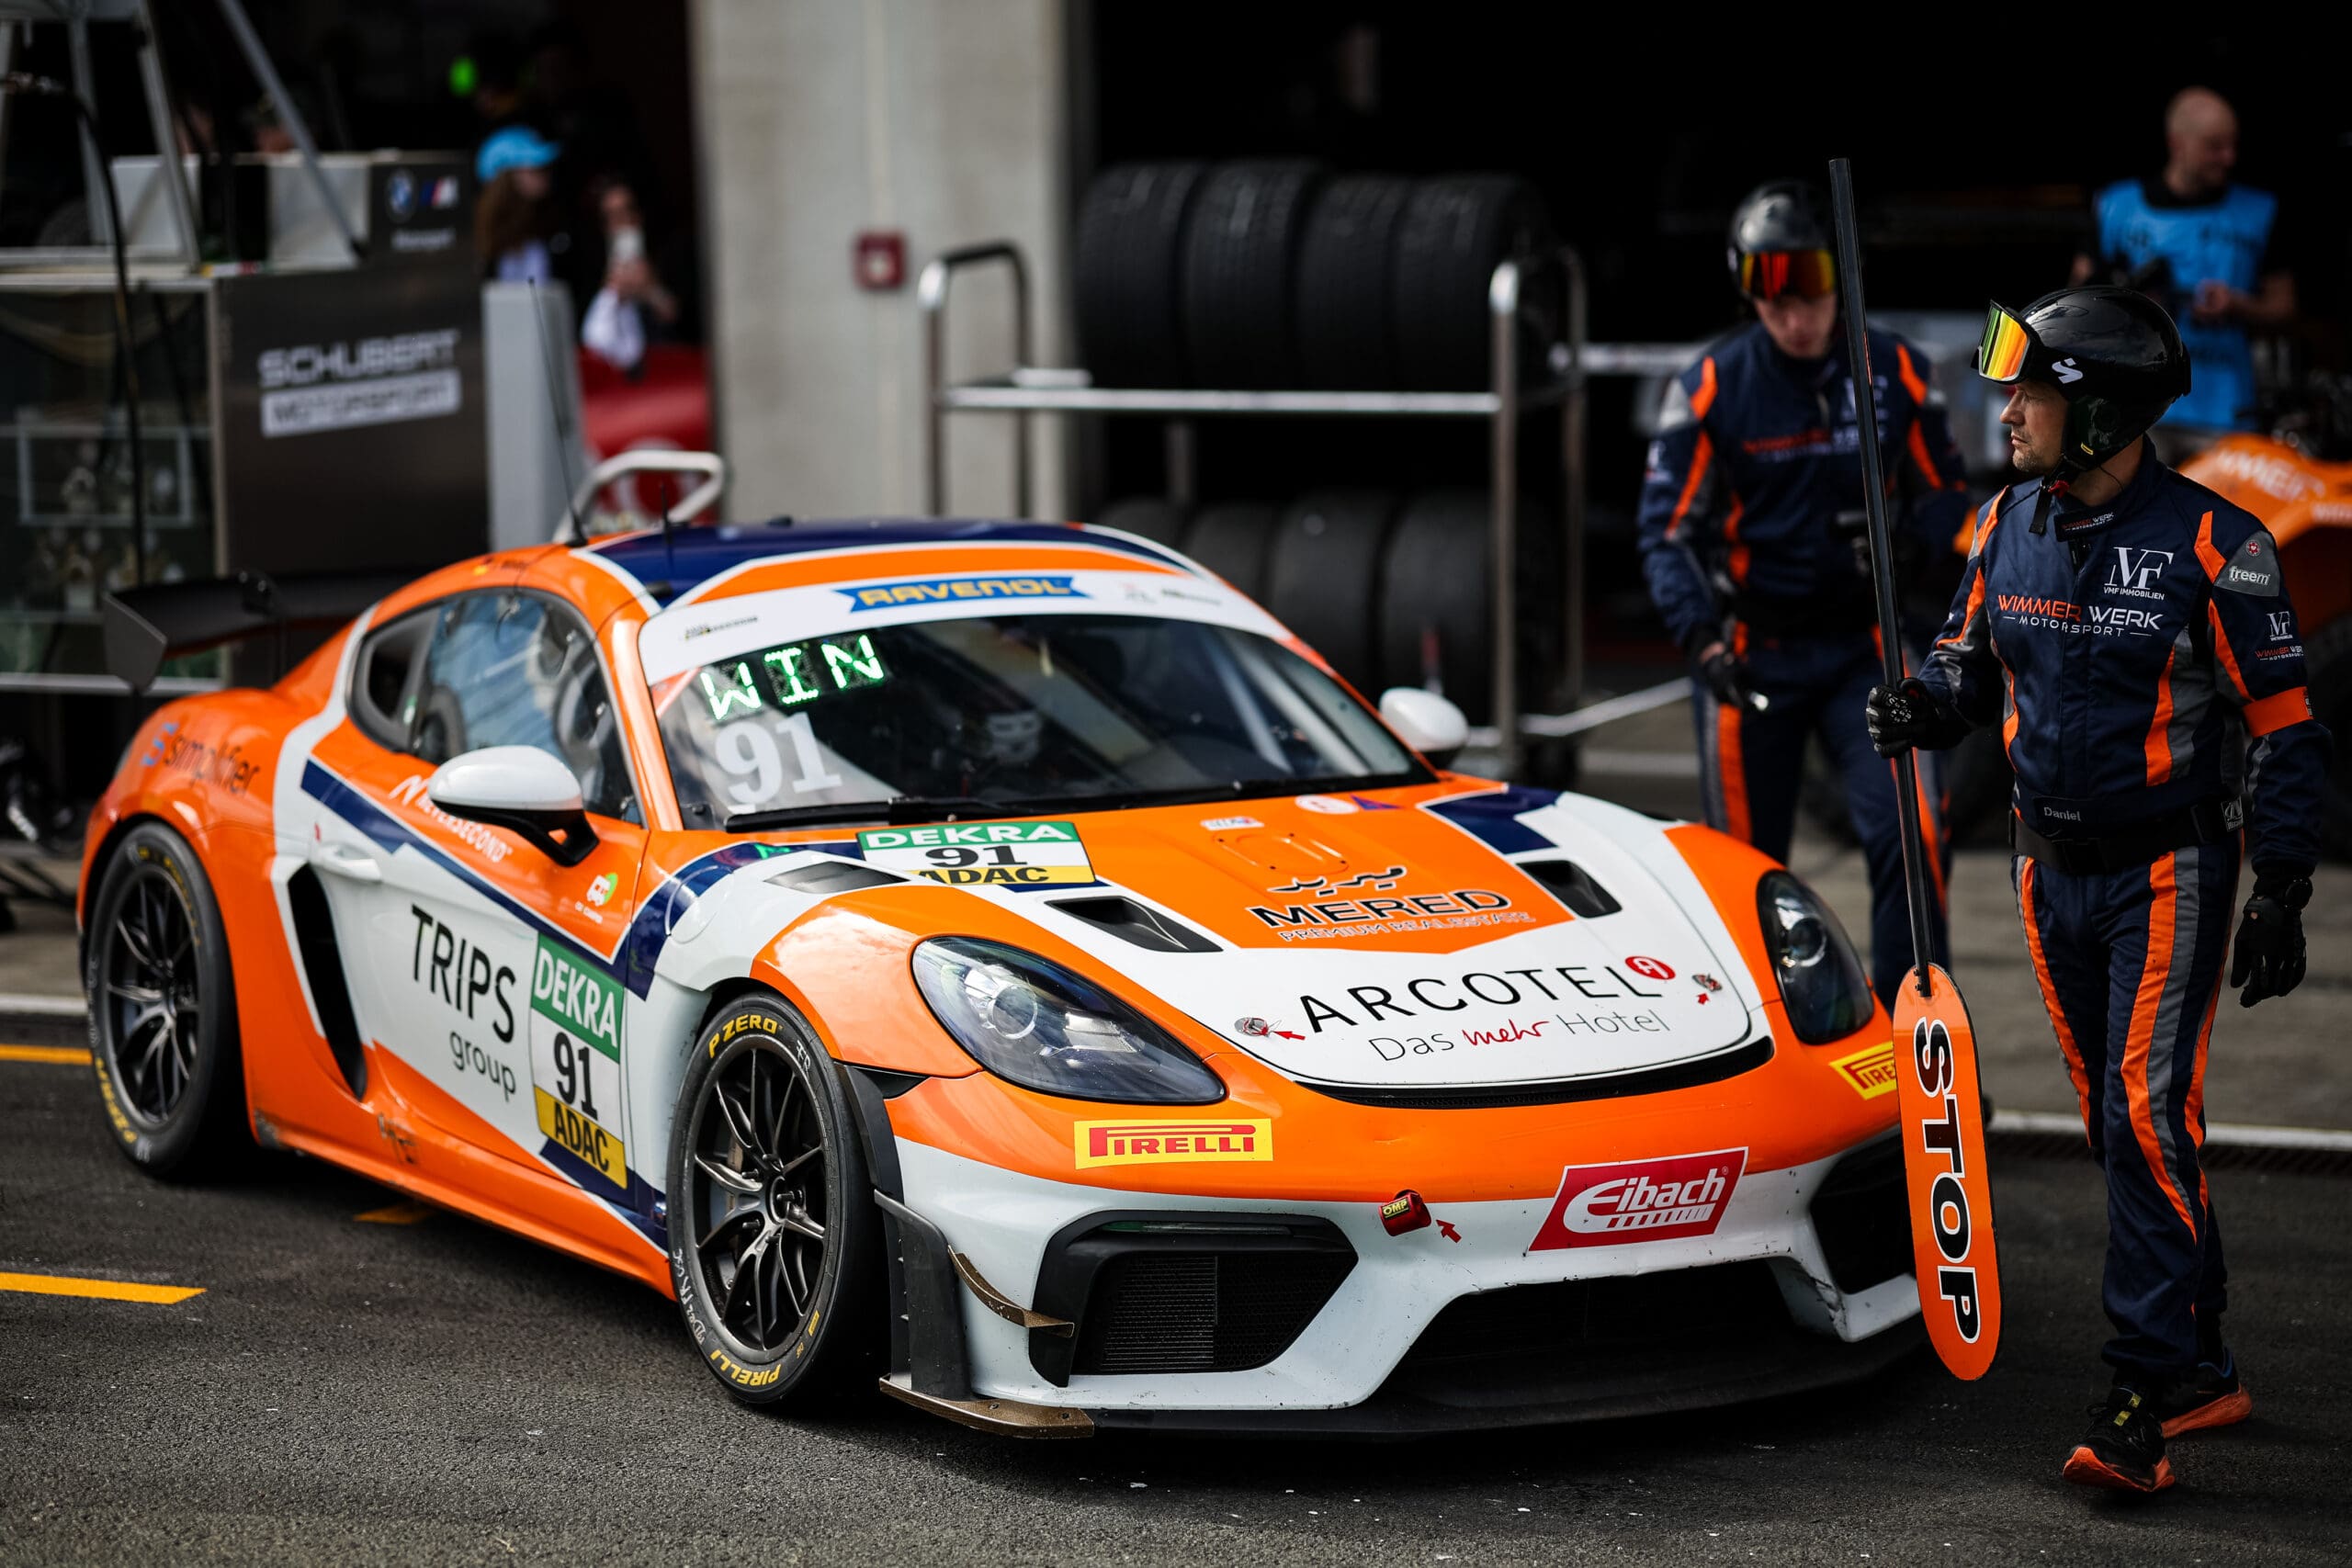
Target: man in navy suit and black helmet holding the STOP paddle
column 2132, row 636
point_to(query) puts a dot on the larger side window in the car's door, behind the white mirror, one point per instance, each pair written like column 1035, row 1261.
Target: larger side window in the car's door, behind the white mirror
column 516, row 669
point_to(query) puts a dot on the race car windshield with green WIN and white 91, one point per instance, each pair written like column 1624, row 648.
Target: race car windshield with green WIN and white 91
column 1020, row 711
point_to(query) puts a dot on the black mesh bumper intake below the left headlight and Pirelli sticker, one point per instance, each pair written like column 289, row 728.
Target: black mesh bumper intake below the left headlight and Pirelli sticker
column 1203, row 1313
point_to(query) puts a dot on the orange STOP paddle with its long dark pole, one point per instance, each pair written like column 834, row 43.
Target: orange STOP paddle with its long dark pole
column 1942, row 1118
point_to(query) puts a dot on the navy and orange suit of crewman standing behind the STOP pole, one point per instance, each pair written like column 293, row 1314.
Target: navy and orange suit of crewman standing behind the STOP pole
column 1751, row 532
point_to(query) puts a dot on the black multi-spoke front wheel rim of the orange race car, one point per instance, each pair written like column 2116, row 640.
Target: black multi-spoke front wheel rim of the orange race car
column 756, row 1172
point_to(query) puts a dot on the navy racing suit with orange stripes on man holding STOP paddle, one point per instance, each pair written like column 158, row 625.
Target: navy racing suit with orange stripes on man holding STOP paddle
column 2149, row 678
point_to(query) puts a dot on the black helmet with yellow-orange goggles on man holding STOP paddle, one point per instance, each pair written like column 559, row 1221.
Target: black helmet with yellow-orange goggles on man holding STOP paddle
column 2113, row 356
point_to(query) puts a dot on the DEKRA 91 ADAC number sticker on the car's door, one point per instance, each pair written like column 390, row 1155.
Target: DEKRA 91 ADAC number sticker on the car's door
column 577, row 1083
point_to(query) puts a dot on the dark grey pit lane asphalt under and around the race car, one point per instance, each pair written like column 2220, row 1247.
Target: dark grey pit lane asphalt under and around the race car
column 366, row 1393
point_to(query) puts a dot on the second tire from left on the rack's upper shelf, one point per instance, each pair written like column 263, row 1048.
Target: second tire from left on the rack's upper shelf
column 1238, row 267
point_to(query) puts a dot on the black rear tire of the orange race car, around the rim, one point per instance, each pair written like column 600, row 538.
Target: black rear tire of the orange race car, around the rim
column 208, row 1127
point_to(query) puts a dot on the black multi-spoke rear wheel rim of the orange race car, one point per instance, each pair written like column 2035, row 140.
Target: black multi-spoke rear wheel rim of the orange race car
column 152, row 1000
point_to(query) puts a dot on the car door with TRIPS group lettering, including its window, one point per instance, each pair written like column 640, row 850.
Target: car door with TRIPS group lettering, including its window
column 493, row 970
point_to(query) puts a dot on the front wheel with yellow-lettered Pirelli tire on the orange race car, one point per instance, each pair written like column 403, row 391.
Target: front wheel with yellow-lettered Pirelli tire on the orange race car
column 775, row 1240
